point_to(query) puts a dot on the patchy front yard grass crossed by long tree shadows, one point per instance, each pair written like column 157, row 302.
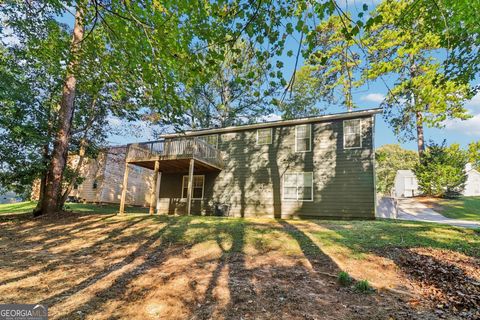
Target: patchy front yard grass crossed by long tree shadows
column 139, row 266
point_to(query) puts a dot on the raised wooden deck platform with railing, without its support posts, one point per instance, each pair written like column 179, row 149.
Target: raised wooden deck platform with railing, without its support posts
column 174, row 155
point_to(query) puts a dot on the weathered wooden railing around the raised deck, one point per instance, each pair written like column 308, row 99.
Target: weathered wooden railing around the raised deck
column 179, row 148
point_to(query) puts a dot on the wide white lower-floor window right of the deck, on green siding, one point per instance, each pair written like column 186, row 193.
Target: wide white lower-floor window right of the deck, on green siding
column 298, row 186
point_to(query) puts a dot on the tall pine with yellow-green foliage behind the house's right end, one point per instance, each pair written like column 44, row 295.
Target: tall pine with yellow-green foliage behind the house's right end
column 423, row 94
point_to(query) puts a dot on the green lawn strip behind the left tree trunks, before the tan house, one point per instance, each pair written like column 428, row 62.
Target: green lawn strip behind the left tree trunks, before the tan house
column 27, row 207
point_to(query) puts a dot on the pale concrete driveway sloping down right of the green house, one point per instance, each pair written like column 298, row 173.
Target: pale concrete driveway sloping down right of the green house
column 410, row 209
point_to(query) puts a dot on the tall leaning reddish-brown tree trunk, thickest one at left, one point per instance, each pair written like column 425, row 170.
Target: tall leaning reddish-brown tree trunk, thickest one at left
column 51, row 200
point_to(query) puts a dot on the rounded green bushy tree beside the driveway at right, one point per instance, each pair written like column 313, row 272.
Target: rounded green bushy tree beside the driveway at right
column 441, row 170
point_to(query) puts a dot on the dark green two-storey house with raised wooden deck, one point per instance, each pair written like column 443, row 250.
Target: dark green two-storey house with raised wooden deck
column 318, row 166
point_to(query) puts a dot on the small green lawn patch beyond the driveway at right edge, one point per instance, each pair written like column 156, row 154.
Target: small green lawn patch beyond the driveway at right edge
column 464, row 208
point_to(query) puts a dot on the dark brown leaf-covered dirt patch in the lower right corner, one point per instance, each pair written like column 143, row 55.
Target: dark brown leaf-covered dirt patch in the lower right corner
column 449, row 281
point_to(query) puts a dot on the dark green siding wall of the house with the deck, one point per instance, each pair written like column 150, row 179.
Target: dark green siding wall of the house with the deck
column 251, row 182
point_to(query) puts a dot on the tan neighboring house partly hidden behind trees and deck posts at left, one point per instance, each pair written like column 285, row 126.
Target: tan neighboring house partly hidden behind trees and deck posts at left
column 103, row 177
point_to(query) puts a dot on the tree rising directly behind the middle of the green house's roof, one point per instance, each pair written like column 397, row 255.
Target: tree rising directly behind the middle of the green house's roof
column 238, row 92
